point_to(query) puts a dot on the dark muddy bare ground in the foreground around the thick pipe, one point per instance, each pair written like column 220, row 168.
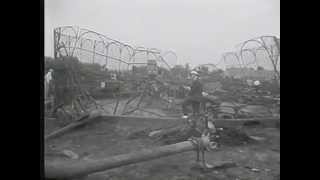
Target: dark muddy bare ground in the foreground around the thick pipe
column 253, row 160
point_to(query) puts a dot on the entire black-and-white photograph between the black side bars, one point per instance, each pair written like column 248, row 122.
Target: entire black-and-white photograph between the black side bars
column 161, row 89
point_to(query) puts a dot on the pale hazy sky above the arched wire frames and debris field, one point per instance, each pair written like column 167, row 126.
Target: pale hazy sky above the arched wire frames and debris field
column 199, row 31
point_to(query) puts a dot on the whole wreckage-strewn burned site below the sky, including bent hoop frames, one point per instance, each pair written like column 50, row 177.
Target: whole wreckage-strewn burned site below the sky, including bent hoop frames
column 108, row 116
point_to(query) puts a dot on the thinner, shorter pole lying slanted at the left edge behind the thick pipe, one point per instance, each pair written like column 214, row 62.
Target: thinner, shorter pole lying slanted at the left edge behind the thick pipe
column 81, row 121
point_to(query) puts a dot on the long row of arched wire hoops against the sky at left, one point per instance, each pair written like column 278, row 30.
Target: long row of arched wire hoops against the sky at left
column 92, row 47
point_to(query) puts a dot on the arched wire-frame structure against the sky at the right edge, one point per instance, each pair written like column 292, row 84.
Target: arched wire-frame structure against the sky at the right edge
column 257, row 53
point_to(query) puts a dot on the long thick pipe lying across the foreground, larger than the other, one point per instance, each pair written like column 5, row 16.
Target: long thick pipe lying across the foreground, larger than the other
column 79, row 168
